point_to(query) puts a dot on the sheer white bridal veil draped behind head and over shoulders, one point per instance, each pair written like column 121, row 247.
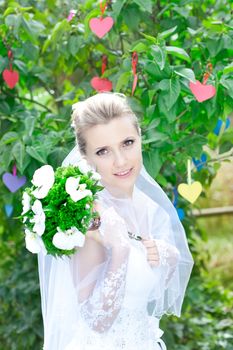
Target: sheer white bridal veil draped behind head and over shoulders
column 60, row 278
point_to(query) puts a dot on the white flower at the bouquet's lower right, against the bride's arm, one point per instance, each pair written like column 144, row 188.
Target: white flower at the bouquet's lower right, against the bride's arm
column 68, row 239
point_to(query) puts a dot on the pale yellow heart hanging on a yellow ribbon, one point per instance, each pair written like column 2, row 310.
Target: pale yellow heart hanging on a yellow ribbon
column 190, row 191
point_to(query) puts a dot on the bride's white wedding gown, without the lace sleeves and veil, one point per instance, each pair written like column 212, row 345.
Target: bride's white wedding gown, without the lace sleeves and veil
column 133, row 328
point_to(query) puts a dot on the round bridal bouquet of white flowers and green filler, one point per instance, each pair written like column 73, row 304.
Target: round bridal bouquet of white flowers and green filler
column 58, row 208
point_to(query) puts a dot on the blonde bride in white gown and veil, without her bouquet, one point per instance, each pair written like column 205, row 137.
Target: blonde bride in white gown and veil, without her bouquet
column 135, row 264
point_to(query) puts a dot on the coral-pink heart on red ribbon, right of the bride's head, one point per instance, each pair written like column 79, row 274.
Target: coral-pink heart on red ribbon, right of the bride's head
column 201, row 91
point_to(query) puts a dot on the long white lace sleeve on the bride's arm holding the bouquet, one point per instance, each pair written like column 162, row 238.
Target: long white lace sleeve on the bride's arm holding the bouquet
column 102, row 305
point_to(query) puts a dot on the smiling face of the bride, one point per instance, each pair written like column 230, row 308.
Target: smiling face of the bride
column 115, row 148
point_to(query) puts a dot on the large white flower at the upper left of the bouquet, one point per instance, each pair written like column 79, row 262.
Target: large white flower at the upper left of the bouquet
column 43, row 179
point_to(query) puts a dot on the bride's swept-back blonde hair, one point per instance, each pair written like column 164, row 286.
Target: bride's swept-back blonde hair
column 100, row 109
